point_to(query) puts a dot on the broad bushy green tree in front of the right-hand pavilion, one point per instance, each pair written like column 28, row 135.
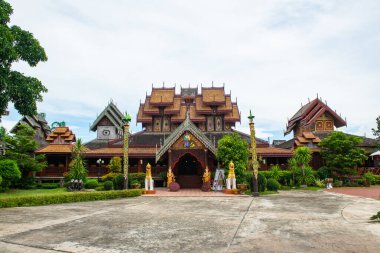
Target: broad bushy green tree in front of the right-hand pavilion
column 341, row 154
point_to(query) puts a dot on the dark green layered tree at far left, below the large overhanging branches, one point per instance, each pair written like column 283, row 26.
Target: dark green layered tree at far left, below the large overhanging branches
column 21, row 147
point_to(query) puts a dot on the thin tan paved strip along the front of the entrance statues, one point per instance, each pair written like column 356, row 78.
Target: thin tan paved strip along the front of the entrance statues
column 164, row 192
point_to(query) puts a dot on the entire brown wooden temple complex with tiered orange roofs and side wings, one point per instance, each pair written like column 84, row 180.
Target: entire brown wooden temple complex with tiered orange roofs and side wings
column 181, row 131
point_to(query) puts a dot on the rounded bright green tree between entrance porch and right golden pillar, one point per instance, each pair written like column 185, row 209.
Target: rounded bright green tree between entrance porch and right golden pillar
column 233, row 148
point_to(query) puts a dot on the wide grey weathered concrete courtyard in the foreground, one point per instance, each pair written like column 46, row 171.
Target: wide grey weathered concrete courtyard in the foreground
column 293, row 221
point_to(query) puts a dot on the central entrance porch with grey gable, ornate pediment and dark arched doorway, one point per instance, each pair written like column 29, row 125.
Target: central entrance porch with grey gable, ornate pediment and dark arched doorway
column 188, row 151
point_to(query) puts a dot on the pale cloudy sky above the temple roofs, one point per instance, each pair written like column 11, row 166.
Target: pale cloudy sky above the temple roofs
column 272, row 55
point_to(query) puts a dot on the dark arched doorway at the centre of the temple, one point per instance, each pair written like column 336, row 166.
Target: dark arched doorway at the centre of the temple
column 188, row 171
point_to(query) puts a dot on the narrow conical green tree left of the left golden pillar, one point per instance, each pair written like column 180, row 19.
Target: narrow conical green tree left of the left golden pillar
column 77, row 166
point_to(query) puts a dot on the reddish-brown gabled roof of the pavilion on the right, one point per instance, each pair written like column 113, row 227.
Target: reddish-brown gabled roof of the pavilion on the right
column 310, row 112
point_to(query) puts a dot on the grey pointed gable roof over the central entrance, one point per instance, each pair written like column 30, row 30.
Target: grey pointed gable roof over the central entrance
column 187, row 125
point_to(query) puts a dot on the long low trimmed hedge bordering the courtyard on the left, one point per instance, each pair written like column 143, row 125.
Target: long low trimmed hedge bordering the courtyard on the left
column 66, row 198
